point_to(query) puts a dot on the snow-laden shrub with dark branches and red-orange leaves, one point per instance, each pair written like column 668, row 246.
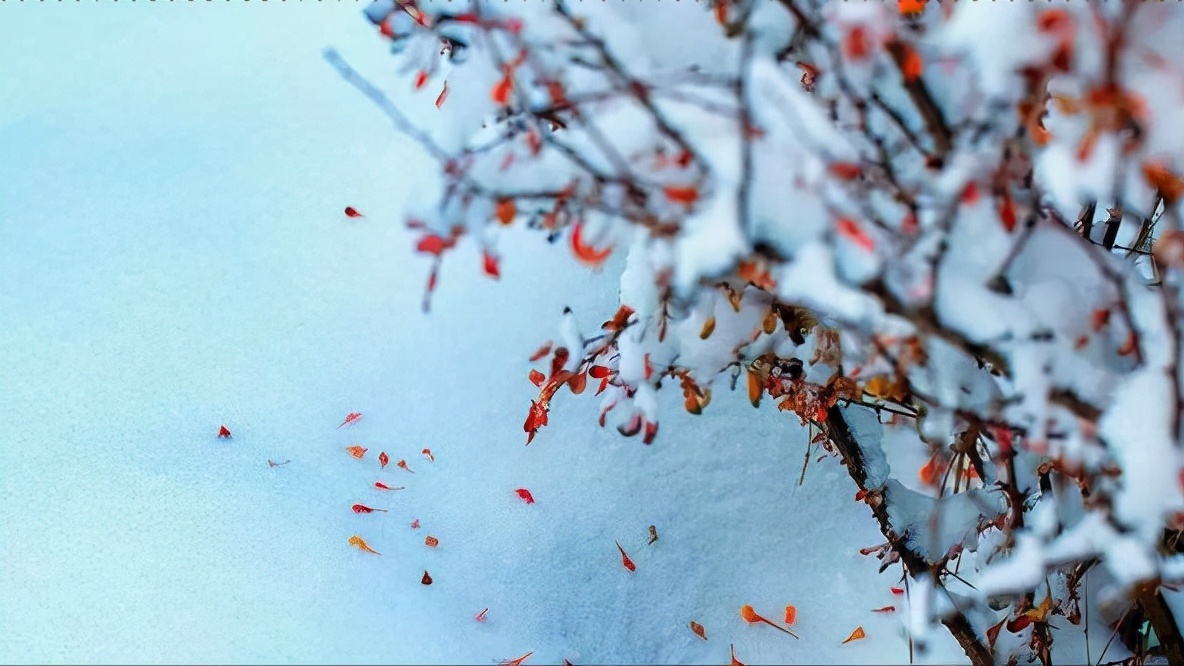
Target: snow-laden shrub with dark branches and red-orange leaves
column 944, row 236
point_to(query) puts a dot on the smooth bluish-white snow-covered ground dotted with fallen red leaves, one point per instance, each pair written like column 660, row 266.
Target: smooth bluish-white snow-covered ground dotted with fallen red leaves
column 173, row 257
